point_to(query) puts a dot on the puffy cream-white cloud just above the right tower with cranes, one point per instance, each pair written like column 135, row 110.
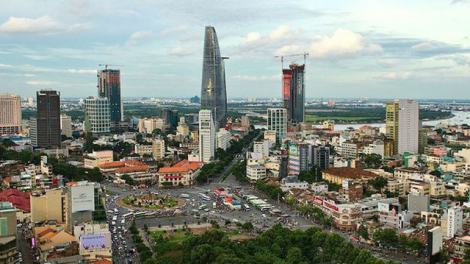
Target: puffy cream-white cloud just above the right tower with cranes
column 342, row 43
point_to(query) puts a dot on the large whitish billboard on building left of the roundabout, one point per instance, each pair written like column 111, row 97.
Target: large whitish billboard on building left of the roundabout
column 82, row 198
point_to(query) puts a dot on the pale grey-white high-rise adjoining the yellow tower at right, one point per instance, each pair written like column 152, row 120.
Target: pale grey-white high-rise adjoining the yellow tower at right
column 408, row 126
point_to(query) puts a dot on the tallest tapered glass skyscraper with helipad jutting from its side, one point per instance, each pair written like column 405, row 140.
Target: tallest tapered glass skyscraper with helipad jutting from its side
column 213, row 89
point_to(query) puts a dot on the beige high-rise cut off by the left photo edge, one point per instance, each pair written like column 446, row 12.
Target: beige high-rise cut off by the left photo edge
column 10, row 114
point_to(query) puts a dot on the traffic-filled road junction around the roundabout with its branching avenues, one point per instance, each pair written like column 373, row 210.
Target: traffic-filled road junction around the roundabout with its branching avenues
column 221, row 214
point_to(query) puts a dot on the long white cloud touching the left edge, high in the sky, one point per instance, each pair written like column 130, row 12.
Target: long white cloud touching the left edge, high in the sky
column 41, row 25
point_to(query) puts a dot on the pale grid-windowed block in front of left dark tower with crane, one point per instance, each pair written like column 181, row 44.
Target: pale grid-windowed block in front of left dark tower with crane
column 97, row 115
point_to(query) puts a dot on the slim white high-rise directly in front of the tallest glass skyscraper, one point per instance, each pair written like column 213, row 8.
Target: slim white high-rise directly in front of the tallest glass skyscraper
column 206, row 135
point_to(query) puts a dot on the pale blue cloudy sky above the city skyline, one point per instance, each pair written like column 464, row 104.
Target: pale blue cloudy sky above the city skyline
column 416, row 49
